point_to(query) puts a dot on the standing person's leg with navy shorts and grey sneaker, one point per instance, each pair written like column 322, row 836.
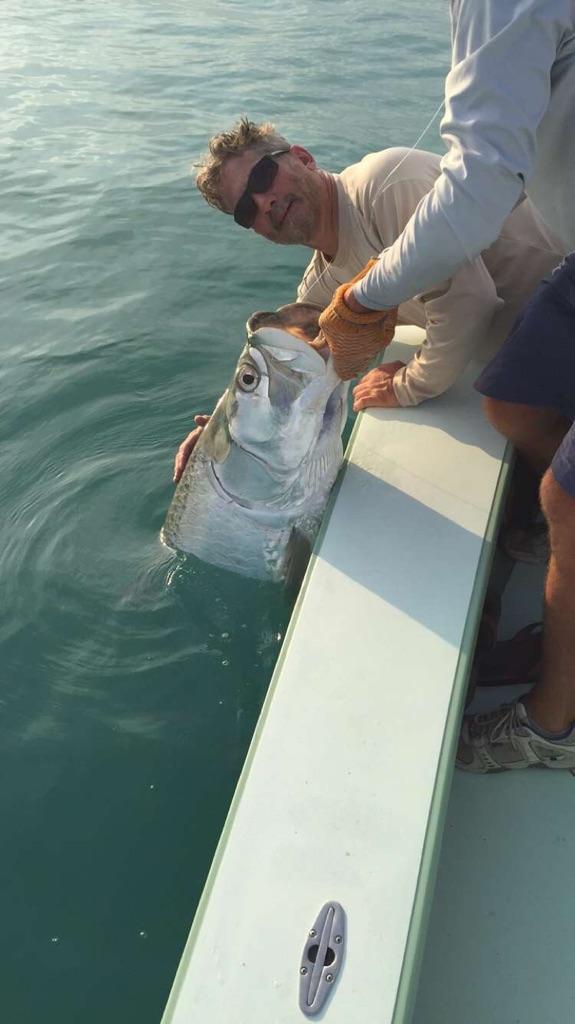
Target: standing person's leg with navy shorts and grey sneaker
column 529, row 394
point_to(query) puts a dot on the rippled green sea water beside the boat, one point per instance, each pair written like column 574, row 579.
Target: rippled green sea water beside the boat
column 131, row 680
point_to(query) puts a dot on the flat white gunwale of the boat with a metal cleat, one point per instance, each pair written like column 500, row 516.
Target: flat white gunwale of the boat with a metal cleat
column 343, row 794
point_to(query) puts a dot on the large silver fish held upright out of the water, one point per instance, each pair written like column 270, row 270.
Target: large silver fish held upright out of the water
column 252, row 496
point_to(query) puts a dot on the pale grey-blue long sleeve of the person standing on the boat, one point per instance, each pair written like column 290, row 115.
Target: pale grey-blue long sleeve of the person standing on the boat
column 496, row 96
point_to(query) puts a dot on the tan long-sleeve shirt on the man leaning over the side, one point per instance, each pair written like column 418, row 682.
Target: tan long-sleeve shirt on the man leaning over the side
column 471, row 314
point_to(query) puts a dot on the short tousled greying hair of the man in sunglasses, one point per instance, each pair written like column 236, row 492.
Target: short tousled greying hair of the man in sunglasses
column 245, row 136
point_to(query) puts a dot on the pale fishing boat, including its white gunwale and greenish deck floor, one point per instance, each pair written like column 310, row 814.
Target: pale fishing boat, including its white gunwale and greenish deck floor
column 322, row 901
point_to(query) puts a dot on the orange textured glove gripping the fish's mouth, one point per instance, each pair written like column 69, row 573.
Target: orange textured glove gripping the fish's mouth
column 355, row 338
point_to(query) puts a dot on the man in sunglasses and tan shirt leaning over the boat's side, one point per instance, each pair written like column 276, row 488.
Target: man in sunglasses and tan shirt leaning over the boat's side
column 278, row 191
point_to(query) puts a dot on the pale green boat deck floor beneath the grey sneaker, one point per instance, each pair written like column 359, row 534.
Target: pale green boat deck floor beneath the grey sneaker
column 500, row 946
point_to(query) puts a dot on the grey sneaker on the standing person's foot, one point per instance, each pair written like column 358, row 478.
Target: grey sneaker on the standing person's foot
column 504, row 740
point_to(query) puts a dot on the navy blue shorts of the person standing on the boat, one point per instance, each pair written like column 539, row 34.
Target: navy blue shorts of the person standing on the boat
column 537, row 364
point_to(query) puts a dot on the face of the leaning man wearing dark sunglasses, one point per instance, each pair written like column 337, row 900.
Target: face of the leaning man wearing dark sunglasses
column 292, row 209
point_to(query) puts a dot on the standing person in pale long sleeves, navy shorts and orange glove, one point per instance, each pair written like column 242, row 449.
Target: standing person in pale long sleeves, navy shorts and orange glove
column 509, row 126
